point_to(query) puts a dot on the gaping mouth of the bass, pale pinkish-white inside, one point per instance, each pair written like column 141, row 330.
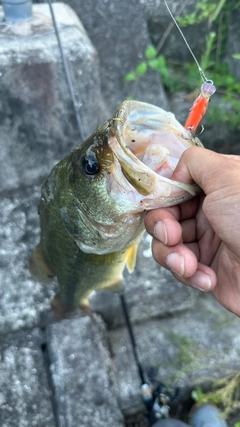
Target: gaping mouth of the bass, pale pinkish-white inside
column 148, row 143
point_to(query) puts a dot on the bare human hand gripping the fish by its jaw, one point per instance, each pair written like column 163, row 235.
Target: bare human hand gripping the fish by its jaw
column 199, row 240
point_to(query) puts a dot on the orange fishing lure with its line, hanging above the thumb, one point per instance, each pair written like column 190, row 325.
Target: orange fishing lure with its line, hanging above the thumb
column 200, row 104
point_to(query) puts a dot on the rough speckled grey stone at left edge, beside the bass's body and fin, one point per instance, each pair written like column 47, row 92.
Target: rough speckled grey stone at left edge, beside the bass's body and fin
column 24, row 303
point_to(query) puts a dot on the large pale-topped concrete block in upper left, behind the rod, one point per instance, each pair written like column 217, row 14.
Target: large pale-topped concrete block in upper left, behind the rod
column 37, row 123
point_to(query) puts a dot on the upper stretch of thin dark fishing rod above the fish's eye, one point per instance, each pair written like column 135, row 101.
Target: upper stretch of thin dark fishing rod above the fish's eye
column 67, row 75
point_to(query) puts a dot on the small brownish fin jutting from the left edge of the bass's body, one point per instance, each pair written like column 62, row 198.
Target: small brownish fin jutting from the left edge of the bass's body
column 38, row 266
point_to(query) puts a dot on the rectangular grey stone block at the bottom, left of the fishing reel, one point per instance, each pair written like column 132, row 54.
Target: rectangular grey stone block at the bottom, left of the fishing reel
column 82, row 377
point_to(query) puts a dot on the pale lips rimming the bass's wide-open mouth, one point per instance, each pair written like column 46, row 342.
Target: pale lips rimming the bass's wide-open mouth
column 143, row 178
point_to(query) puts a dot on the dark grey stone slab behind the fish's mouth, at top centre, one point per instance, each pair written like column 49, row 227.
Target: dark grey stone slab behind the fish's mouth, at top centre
column 118, row 30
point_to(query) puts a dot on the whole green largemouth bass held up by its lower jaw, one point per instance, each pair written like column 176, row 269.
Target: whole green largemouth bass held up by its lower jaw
column 93, row 203
